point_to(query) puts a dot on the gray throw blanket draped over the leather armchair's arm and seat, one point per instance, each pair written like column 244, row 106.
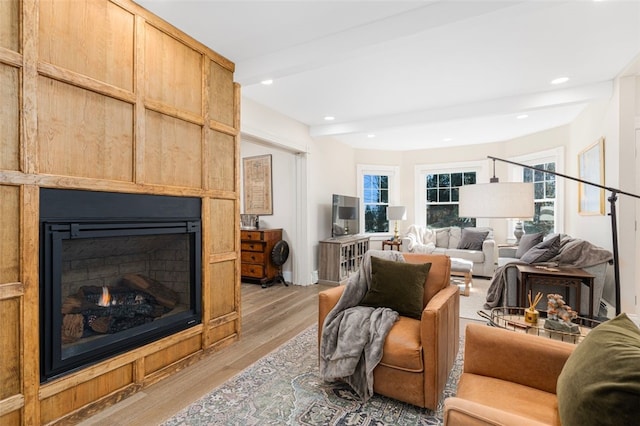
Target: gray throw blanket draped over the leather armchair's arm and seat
column 353, row 336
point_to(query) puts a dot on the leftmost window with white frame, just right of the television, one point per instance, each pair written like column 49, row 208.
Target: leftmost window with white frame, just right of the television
column 377, row 190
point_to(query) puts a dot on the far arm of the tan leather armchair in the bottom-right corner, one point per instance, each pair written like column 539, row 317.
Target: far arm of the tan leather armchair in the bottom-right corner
column 515, row 357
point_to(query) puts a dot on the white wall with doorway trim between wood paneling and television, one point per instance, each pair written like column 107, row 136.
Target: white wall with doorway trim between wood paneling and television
column 308, row 172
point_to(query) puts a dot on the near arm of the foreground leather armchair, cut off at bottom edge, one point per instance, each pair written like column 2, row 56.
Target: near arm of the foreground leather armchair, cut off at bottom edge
column 459, row 411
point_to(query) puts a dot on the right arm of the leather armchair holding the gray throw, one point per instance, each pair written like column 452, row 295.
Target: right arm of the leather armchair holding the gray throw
column 439, row 332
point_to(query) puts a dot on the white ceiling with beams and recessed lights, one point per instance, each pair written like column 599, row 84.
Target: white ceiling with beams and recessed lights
column 418, row 74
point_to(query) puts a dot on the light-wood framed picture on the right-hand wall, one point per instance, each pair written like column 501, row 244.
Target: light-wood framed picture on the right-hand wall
column 591, row 169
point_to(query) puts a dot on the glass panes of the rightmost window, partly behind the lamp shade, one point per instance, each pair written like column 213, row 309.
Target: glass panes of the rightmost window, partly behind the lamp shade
column 544, row 187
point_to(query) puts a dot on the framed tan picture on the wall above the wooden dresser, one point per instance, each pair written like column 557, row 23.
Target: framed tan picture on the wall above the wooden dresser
column 257, row 185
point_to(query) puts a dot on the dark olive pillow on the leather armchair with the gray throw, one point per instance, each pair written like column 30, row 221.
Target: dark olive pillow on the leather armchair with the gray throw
column 397, row 285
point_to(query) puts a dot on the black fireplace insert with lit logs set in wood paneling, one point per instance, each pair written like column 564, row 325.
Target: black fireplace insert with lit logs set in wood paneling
column 117, row 271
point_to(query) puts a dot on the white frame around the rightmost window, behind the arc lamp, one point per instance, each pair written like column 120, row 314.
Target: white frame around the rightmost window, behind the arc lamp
column 554, row 155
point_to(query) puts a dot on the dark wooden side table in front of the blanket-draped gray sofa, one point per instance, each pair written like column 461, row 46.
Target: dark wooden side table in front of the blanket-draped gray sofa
column 530, row 276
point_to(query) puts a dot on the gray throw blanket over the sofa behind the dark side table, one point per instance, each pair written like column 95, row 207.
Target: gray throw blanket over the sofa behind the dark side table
column 574, row 252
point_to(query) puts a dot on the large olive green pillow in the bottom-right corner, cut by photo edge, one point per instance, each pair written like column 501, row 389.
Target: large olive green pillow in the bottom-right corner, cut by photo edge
column 600, row 382
